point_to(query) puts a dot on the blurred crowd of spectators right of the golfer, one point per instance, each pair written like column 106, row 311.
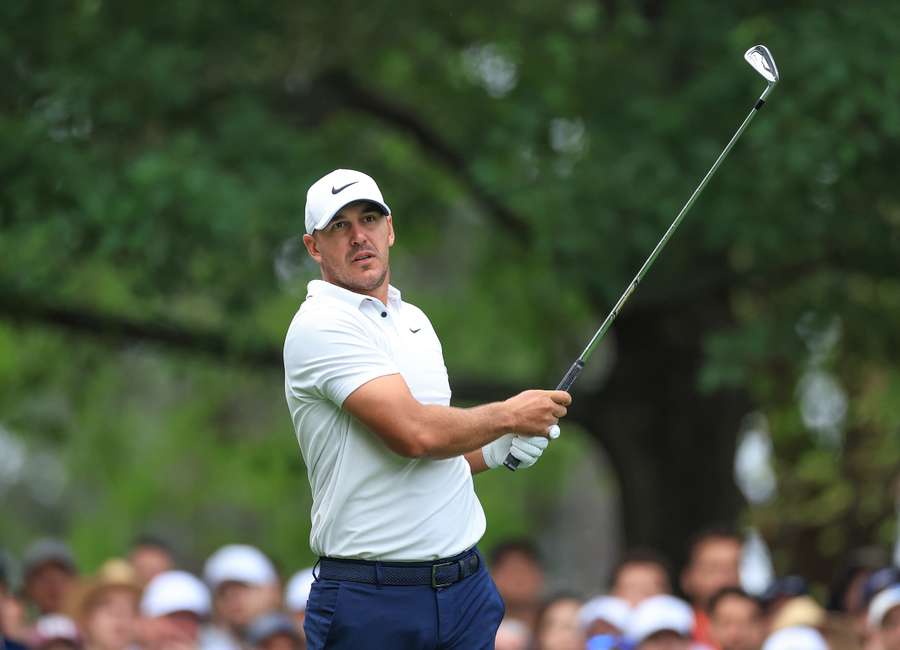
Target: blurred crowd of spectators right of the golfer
column 640, row 611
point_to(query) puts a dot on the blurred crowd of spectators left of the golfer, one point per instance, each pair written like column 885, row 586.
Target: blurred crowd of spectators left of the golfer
column 146, row 602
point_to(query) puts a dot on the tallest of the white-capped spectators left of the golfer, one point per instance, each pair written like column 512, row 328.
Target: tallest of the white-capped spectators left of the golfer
column 244, row 585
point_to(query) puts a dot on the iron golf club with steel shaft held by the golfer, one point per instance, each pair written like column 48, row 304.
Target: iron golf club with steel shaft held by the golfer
column 761, row 60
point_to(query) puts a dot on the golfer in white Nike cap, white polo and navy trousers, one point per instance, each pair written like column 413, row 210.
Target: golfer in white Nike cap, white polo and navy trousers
column 395, row 518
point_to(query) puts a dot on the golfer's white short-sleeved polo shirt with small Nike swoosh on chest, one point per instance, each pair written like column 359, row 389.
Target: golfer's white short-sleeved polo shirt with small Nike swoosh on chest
column 368, row 502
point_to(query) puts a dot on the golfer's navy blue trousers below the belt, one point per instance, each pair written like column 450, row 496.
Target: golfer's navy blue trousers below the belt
column 464, row 616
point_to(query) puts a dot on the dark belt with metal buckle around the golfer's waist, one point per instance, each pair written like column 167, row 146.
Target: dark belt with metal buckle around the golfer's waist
column 440, row 573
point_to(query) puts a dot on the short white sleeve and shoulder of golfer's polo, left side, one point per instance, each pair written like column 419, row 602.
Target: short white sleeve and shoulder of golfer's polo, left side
column 332, row 356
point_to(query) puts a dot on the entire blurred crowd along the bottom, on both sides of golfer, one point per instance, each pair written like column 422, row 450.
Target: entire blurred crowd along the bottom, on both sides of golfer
column 239, row 601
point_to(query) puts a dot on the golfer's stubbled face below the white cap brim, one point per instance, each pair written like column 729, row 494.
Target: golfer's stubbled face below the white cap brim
column 352, row 250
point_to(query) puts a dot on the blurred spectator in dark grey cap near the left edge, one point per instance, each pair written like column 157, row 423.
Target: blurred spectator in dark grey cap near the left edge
column 50, row 574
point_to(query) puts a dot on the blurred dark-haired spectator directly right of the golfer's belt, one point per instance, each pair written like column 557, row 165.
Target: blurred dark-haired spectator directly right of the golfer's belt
column 517, row 572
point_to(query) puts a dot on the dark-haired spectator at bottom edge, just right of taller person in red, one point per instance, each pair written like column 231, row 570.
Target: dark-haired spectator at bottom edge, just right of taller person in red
column 736, row 620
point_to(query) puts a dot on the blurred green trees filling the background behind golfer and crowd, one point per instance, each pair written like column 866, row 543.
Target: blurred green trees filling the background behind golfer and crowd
column 154, row 166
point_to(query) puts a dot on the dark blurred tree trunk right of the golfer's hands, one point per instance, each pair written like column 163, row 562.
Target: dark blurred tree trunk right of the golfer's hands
column 671, row 446
